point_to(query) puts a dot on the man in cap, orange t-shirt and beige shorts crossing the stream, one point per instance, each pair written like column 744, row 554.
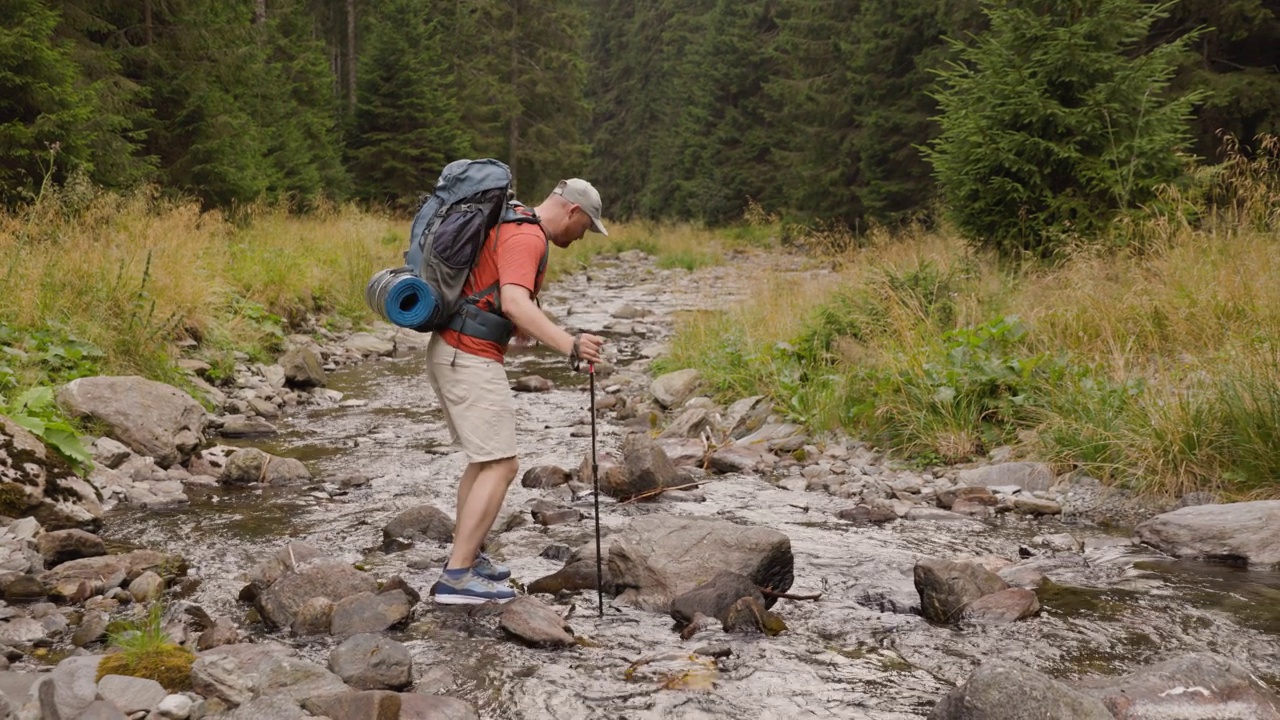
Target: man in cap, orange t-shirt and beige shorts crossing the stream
column 470, row 381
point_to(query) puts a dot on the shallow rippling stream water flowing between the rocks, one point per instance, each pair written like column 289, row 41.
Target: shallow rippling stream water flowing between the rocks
column 1112, row 609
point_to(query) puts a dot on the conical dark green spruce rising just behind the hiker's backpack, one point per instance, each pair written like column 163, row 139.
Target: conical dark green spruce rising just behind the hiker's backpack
column 408, row 125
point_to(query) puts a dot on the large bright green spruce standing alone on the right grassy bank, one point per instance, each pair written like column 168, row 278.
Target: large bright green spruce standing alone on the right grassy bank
column 1050, row 127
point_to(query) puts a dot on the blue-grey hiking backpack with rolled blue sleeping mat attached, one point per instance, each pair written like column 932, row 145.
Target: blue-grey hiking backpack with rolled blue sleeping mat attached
column 449, row 231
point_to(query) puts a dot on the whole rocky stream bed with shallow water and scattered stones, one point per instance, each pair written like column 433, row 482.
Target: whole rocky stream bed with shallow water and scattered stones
column 294, row 536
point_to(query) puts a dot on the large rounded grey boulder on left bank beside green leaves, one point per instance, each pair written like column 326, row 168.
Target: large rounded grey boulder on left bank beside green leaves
column 150, row 418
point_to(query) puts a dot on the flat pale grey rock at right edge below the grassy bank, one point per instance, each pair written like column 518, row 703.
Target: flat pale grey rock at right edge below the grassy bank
column 1245, row 534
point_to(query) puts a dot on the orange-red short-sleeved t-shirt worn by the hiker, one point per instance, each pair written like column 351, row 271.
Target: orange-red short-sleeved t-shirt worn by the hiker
column 511, row 258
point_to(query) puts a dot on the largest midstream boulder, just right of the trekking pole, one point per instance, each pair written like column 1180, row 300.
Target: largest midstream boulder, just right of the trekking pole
column 657, row 559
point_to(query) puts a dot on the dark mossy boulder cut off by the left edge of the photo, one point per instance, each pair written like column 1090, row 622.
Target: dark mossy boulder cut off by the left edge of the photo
column 35, row 482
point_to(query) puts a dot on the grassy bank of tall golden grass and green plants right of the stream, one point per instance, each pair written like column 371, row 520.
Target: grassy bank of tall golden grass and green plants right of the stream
column 1158, row 371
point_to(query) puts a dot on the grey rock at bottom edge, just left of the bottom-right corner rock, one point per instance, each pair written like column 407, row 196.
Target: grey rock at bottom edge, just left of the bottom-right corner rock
column 1011, row 691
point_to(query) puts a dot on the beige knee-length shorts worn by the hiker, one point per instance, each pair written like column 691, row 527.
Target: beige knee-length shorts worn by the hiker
column 477, row 402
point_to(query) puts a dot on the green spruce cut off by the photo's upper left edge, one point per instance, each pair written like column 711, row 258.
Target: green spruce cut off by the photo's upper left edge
column 44, row 108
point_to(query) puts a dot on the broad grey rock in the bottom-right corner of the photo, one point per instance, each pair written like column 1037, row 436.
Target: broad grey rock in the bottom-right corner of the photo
column 1197, row 686
